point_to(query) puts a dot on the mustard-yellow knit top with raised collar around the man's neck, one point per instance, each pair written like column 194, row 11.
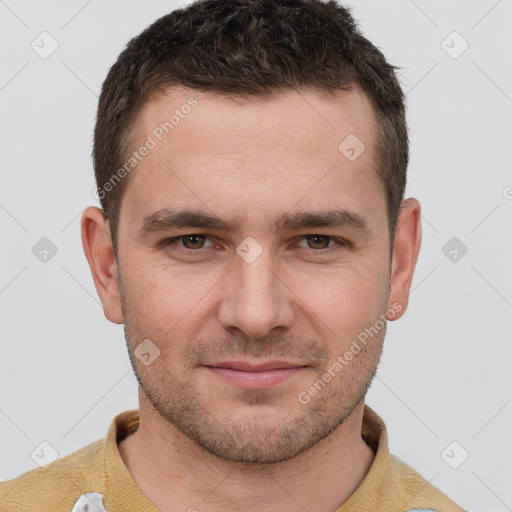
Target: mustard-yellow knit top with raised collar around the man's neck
column 389, row 486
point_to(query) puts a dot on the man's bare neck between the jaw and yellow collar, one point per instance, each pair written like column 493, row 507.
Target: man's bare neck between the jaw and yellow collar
column 177, row 474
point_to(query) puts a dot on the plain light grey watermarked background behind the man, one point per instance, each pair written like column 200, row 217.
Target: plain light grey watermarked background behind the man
column 445, row 373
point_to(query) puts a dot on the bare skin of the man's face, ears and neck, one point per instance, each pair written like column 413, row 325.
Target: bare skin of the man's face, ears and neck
column 303, row 300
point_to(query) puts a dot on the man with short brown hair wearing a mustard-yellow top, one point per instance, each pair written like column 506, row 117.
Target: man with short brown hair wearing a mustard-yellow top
column 250, row 159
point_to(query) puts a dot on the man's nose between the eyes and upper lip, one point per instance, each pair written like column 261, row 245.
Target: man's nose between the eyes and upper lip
column 256, row 297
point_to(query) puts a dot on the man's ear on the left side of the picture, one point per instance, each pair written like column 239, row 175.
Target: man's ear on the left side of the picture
column 97, row 244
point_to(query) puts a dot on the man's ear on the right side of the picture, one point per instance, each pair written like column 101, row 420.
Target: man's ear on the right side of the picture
column 405, row 254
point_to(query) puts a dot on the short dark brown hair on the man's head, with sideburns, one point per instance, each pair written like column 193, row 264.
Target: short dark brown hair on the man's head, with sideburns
column 248, row 48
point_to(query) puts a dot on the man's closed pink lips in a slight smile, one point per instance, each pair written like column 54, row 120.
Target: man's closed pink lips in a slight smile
column 249, row 375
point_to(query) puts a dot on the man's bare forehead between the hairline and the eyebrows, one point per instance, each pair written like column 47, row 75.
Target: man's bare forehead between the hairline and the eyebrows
column 208, row 148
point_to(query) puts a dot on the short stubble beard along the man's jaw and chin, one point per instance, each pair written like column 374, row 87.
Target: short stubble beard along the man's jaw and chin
column 268, row 437
